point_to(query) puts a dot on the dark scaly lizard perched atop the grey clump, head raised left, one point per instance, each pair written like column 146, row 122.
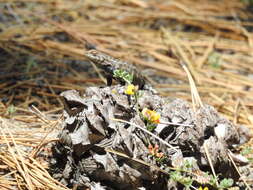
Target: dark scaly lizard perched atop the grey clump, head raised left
column 110, row 64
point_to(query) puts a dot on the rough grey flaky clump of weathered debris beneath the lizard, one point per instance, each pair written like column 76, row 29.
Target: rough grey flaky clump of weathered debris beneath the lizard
column 98, row 149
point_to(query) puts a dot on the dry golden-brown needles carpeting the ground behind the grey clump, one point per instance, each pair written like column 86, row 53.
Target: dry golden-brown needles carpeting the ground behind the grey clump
column 209, row 37
